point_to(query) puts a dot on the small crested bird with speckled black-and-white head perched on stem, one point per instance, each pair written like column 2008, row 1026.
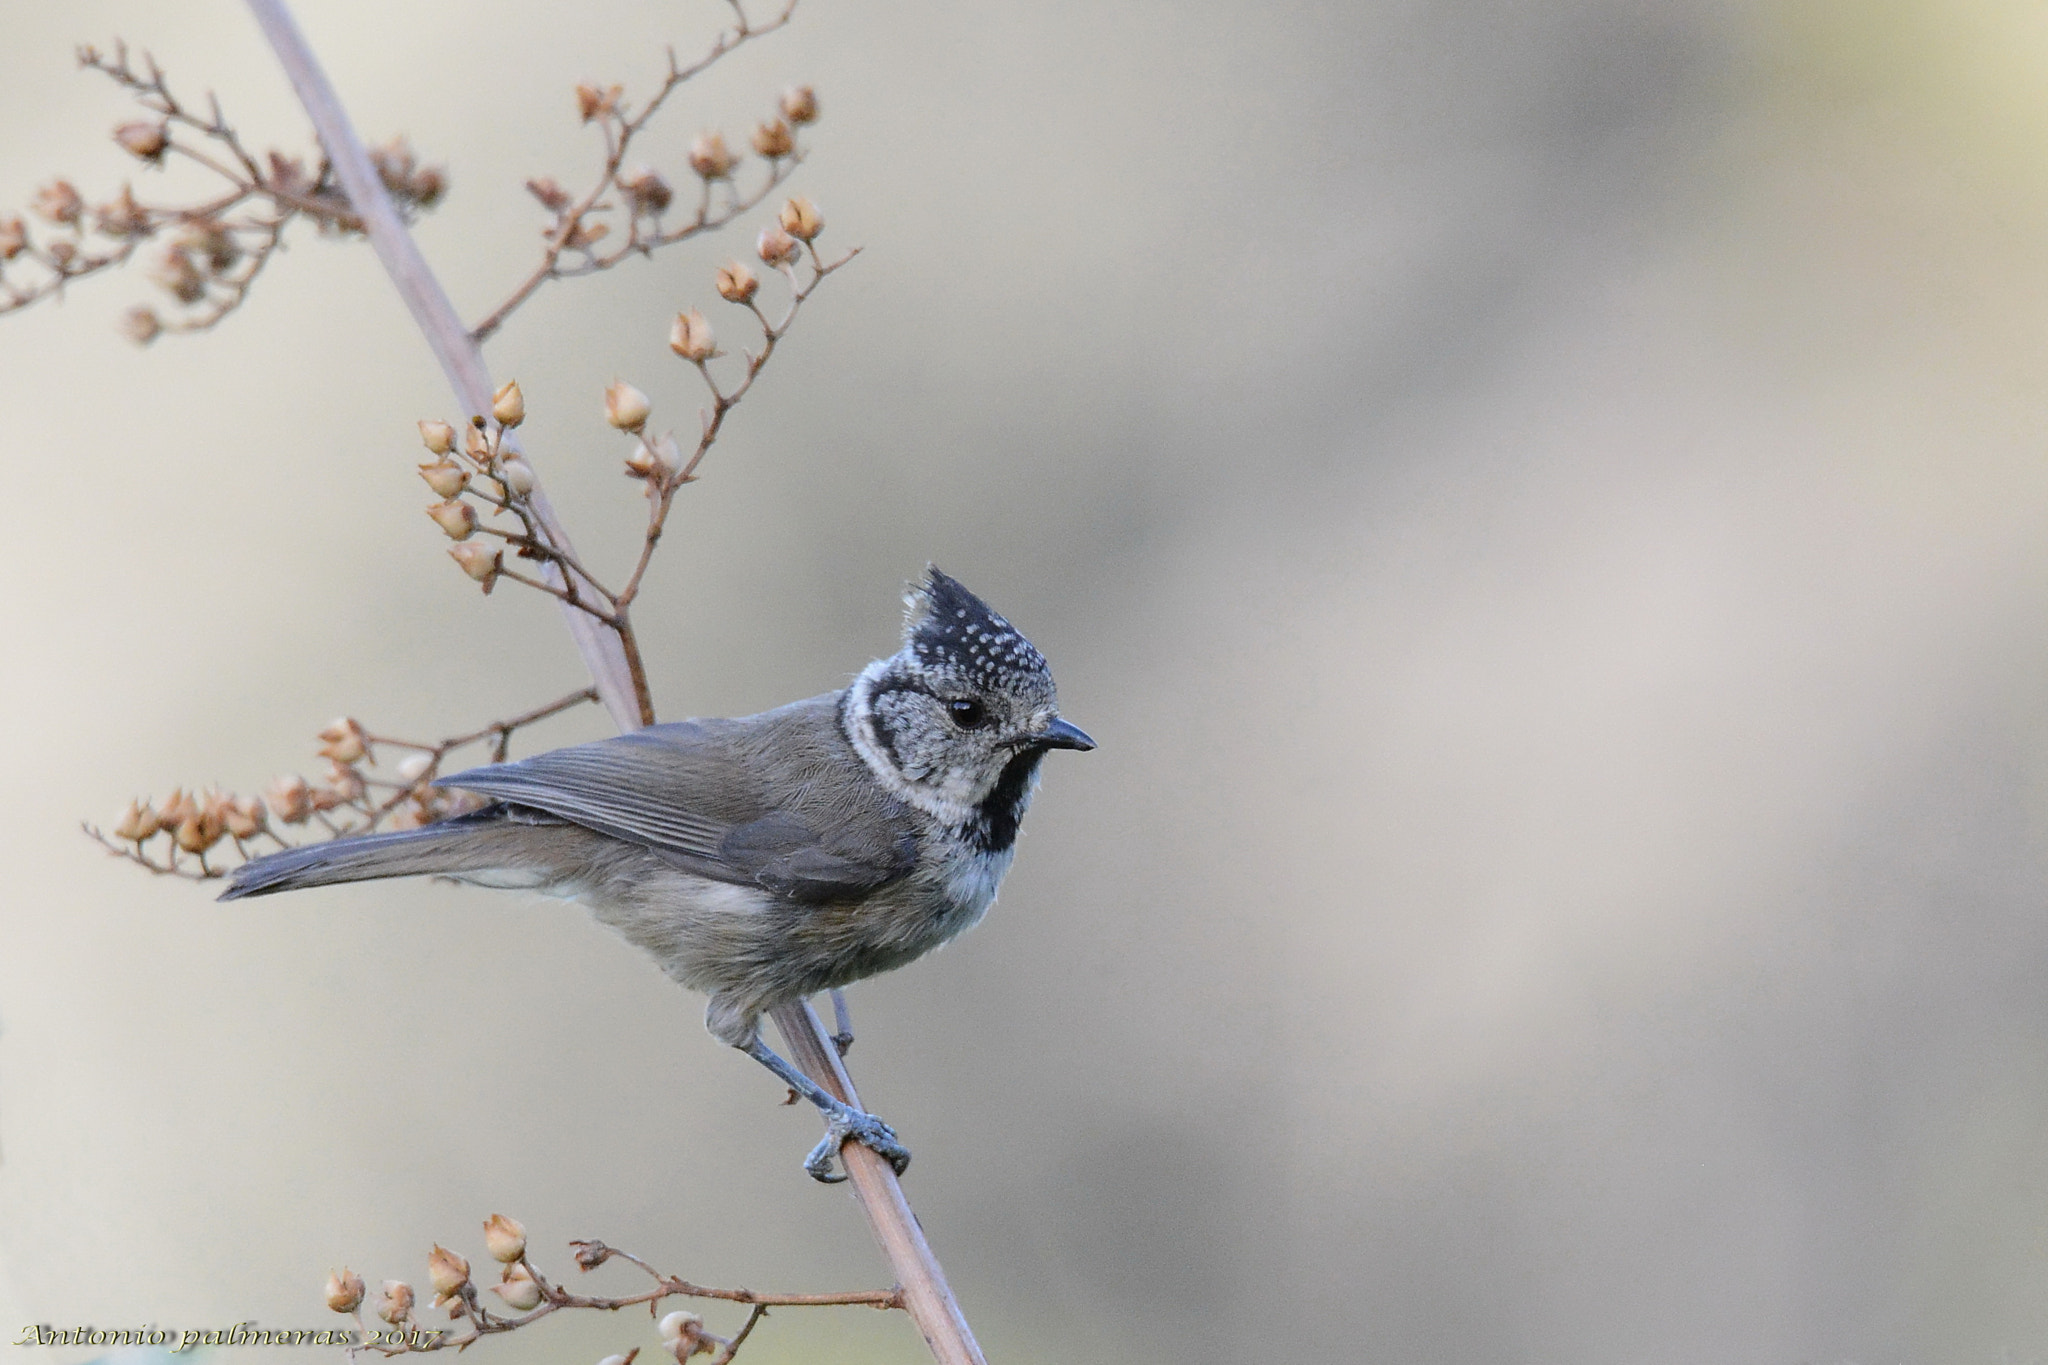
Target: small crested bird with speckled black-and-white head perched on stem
column 767, row 858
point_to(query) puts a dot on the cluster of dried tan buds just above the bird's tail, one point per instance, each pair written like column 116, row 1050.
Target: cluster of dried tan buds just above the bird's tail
column 355, row 797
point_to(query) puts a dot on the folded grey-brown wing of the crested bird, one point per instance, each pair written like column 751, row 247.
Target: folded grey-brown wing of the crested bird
column 679, row 791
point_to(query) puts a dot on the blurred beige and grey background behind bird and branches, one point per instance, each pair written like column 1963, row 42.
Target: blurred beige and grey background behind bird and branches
column 1543, row 507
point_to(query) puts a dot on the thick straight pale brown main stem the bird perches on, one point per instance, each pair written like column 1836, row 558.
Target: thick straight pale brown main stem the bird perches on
column 617, row 674
